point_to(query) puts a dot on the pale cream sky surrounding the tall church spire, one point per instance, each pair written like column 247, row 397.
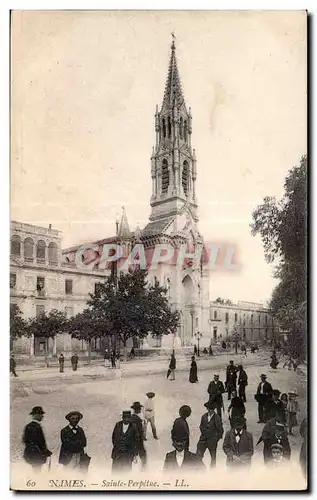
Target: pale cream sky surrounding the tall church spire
column 85, row 86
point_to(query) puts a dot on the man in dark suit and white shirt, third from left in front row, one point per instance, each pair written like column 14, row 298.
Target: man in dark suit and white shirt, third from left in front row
column 125, row 438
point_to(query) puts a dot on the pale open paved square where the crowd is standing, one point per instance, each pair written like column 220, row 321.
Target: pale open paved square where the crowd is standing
column 101, row 394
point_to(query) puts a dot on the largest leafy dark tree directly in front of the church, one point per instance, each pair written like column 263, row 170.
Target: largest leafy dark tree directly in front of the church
column 133, row 307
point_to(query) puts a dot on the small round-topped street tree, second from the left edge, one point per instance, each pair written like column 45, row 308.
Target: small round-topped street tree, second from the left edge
column 47, row 325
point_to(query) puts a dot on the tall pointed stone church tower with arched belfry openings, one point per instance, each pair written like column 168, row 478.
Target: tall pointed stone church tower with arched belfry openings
column 173, row 160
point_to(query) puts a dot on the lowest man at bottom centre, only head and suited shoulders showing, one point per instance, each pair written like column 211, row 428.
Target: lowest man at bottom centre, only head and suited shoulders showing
column 182, row 459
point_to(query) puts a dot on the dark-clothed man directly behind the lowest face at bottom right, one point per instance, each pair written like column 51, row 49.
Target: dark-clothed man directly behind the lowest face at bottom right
column 274, row 432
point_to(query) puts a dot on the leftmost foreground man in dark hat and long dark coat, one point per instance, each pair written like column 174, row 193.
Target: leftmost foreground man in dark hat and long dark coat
column 36, row 451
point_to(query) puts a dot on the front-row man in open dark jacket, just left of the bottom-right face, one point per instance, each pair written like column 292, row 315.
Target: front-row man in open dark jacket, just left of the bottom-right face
column 238, row 444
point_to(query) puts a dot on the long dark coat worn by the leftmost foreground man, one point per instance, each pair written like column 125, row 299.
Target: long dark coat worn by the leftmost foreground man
column 35, row 452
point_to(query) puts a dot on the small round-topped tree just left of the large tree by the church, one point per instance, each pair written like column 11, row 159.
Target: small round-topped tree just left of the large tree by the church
column 88, row 325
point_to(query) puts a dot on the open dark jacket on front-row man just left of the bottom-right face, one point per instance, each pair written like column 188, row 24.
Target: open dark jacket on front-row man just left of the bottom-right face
column 243, row 449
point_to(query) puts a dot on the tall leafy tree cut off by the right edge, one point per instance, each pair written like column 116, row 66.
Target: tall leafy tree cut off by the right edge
column 282, row 225
